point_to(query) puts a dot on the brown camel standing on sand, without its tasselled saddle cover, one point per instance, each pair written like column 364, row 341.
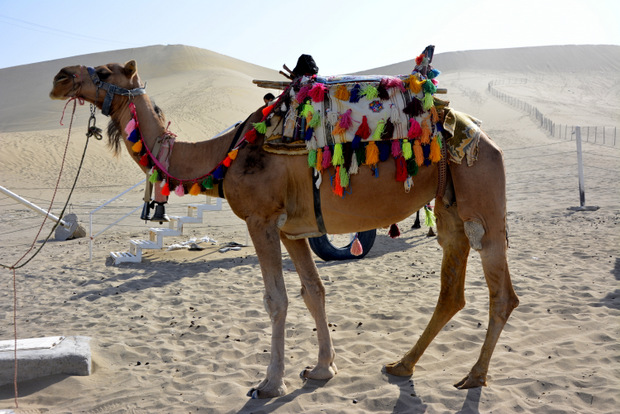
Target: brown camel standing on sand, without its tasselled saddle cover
column 273, row 194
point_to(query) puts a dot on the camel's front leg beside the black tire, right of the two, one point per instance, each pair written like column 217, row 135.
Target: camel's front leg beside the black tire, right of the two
column 313, row 292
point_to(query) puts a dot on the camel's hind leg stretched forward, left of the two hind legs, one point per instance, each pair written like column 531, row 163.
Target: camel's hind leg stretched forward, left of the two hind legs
column 452, row 238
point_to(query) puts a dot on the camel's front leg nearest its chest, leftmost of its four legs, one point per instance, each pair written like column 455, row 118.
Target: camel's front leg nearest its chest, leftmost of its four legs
column 267, row 244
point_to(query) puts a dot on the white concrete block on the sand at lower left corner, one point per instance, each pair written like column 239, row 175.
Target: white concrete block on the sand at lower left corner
column 40, row 357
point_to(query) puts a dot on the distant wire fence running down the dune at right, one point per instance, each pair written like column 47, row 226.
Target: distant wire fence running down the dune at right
column 604, row 135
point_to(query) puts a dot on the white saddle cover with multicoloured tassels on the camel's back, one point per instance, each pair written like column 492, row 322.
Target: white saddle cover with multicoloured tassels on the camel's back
column 344, row 122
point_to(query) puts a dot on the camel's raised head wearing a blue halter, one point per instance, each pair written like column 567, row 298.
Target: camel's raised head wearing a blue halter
column 93, row 84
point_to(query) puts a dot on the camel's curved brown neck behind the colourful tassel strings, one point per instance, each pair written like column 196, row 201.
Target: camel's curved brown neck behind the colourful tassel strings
column 187, row 160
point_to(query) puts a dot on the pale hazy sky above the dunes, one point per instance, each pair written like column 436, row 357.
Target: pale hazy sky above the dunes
column 343, row 36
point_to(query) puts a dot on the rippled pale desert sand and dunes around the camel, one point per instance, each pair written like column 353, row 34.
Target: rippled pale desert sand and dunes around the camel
column 186, row 331
